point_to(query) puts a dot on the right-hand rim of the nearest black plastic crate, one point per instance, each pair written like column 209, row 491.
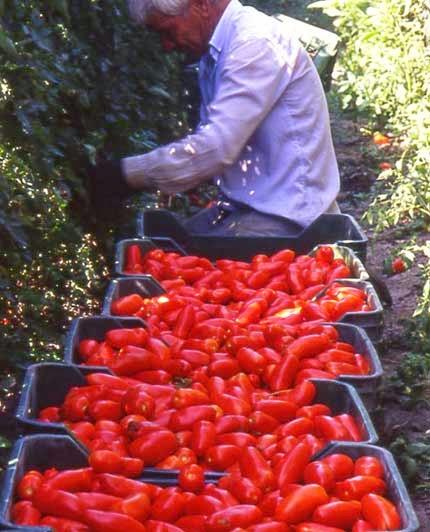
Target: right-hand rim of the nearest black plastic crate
column 397, row 491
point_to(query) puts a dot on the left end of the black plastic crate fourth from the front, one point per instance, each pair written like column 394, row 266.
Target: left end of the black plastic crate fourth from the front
column 144, row 285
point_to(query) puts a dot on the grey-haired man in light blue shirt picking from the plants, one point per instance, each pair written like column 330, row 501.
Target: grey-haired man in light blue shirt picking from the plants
column 264, row 134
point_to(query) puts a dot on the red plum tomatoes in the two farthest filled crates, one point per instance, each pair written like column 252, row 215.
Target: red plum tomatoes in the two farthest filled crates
column 276, row 288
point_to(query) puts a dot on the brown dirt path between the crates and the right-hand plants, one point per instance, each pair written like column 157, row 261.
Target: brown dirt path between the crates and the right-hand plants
column 358, row 173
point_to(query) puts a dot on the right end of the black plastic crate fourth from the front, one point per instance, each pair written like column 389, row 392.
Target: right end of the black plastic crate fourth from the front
column 372, row 321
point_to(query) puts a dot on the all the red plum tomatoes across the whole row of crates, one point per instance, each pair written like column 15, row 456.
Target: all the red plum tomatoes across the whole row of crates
column 217, row 381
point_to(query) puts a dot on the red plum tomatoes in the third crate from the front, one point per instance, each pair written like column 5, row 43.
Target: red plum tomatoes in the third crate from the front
column 275, row 354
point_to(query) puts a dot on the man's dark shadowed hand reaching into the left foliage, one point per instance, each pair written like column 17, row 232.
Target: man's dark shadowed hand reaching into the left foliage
column 108, row 188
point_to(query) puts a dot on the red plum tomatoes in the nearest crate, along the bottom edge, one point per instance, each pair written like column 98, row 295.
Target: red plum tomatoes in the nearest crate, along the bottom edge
column 332, row 494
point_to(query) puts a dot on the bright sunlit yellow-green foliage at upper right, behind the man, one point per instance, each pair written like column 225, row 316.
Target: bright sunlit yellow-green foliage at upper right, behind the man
column 385, row 74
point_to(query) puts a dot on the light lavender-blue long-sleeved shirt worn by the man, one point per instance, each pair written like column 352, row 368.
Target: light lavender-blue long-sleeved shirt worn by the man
column 264, row 129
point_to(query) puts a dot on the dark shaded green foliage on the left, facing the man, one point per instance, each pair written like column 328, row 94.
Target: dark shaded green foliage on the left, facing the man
column 77, row 80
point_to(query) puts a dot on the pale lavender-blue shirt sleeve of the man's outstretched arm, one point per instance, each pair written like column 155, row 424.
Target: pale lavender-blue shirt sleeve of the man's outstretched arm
column 253, row 76
